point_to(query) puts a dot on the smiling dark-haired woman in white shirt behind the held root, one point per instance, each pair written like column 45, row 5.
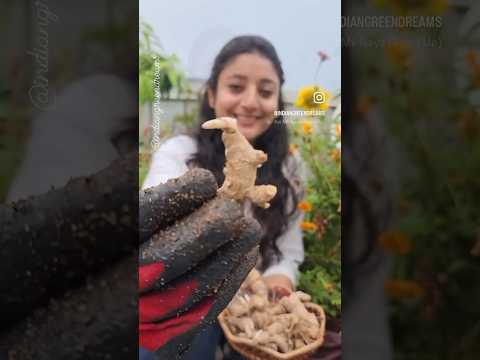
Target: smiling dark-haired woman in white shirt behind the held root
column 245, row 83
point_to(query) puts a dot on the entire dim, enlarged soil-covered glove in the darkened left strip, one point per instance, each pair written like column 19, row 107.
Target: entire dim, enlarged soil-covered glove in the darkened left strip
column 69, row 269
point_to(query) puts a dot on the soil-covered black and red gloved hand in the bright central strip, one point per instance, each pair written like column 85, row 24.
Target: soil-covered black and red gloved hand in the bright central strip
column 190, row 270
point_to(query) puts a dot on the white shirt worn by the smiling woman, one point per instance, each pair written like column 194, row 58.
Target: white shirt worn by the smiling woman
column 170, row 161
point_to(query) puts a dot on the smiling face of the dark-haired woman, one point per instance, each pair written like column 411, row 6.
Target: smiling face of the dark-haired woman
column 248, row 89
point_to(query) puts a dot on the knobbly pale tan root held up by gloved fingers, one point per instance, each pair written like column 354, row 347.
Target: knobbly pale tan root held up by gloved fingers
column 242, row 162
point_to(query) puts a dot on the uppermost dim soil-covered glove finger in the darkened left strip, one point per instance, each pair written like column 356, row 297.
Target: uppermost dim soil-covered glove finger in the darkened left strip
column 51, row 242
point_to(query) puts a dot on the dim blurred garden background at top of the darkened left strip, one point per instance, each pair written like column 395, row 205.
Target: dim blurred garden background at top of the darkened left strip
column 76, row 50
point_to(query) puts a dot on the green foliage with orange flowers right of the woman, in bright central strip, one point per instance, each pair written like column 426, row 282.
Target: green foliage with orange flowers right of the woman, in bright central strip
column 320, row 149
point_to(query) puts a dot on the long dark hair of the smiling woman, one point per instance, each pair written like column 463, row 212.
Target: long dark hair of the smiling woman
column 274, row 142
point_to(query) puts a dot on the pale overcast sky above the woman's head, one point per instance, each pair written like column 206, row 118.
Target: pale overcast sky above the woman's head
column 196, row 30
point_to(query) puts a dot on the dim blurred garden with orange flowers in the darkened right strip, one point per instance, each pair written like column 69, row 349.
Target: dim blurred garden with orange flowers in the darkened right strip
column 421, row 89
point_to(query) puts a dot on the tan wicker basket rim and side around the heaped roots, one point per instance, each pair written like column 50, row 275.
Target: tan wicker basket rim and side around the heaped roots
column 251, row 351
